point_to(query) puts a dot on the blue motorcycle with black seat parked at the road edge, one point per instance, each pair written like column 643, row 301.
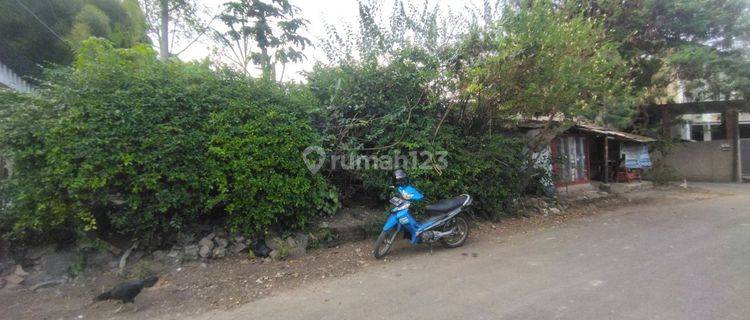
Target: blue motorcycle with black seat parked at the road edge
column 443, row 224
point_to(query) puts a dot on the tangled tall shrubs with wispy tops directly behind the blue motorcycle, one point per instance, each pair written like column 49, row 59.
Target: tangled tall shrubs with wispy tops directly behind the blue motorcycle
column 393, row 89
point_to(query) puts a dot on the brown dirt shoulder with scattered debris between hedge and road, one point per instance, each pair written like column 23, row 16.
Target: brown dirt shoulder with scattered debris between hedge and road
column 199, row 287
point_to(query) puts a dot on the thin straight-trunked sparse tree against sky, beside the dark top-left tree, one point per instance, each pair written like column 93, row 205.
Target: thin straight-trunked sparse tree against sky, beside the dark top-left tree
column 171, row 21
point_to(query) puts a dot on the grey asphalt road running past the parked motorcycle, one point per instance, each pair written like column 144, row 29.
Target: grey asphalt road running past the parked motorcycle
column 673, row 260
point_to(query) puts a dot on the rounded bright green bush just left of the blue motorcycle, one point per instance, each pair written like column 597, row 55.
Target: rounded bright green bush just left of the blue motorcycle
column 254, row 158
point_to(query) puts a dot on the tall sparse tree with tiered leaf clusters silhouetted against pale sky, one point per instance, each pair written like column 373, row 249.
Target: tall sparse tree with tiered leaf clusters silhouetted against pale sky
column 272, row 28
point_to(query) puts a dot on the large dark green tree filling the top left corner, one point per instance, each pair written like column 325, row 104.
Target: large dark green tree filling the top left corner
column 48, row 31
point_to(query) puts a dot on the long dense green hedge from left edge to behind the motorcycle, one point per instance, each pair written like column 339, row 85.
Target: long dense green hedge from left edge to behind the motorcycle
column 121, row 143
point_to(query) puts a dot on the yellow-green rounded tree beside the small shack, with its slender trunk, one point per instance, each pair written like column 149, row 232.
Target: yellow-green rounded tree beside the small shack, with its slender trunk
column 546, row 65
